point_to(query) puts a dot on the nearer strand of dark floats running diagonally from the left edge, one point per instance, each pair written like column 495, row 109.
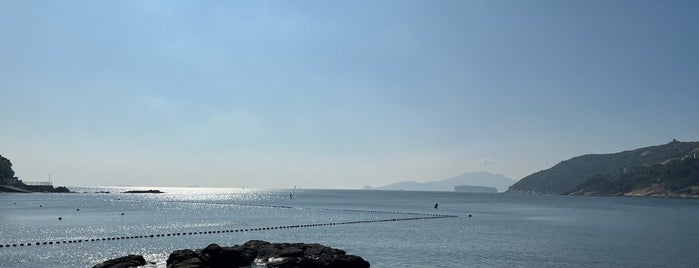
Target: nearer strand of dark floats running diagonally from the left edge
column 218, row 231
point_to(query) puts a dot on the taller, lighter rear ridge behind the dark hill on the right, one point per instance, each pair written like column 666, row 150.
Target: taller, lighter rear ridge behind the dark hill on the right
column 566, row 175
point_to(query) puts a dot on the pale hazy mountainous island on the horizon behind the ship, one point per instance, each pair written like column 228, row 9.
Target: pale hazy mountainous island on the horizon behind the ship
column 498, row 181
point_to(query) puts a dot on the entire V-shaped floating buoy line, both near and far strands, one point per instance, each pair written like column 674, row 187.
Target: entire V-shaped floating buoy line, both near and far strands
column 421, row 216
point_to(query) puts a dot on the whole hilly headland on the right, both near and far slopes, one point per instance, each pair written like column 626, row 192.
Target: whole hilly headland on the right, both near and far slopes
column 668, row 170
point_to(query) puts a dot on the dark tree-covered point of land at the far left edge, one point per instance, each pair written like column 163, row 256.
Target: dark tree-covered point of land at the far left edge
column 12, row 184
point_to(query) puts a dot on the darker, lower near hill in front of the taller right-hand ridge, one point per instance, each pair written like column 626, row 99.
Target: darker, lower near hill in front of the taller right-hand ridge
column 679, row 178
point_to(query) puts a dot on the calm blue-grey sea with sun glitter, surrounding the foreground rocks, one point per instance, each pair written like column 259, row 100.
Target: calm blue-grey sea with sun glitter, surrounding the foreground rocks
column 504, row 230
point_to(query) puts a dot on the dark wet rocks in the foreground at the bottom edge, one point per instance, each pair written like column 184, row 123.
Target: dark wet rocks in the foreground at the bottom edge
column 254, row 253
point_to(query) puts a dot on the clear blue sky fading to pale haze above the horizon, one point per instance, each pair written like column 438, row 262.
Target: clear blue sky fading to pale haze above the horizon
column 337, row 94
